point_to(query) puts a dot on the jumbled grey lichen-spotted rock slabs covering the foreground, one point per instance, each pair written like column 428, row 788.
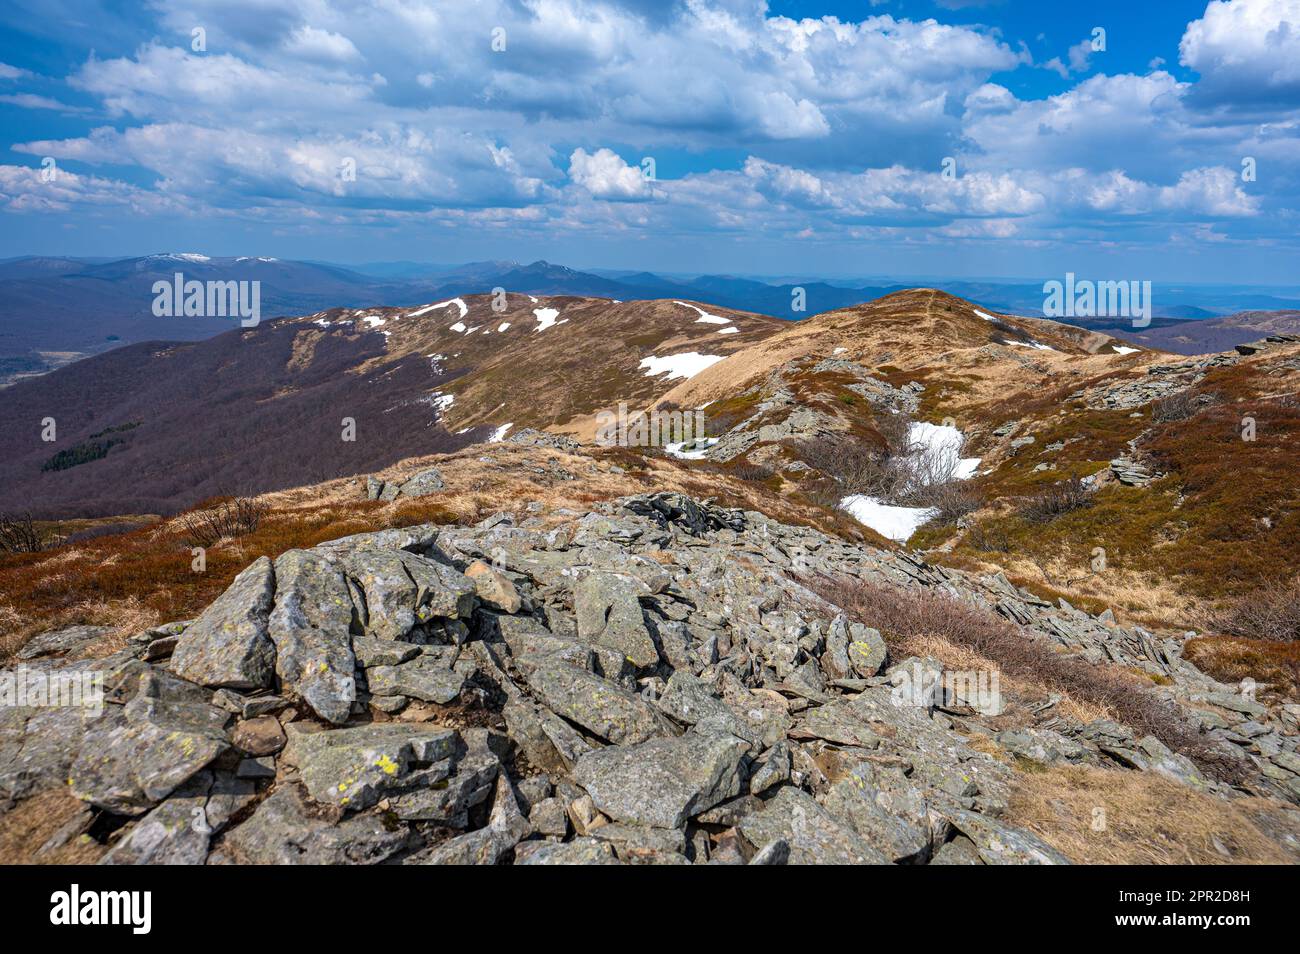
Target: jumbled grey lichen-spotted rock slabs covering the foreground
column 647, row 683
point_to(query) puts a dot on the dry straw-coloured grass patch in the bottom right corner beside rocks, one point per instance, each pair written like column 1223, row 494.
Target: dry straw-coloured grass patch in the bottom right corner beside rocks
column 1149, row 819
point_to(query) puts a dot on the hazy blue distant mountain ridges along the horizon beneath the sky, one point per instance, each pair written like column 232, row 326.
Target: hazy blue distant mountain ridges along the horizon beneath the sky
column 55, row 310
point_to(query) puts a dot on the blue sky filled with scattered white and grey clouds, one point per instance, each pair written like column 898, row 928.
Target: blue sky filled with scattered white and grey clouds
column 964, row 138
